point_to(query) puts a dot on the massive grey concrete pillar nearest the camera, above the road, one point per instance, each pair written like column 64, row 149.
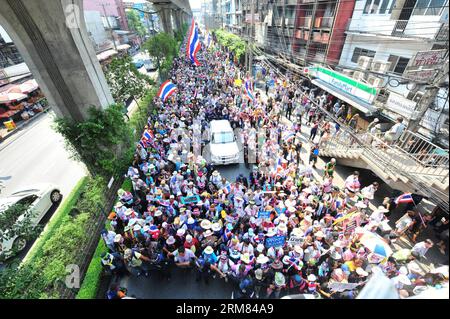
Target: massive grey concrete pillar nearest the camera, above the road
column 51, row 37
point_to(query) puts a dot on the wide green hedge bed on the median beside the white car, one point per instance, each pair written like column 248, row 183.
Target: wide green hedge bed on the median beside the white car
column 44, row 272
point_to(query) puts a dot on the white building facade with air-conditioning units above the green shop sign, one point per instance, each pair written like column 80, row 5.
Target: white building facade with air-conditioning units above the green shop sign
column 382, row 40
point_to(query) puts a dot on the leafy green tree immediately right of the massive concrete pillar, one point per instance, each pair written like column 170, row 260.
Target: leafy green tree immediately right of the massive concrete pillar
column 125, row 80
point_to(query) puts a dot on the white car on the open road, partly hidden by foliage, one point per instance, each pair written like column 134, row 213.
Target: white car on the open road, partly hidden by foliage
column 39, row 198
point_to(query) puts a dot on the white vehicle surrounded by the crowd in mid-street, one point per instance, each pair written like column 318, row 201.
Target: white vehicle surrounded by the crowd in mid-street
column 223, row 147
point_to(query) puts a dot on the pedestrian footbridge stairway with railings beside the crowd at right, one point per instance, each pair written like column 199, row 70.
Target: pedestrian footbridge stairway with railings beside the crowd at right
column 411, row 164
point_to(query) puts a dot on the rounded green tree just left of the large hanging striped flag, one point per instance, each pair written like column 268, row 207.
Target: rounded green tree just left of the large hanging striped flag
column 163, row 47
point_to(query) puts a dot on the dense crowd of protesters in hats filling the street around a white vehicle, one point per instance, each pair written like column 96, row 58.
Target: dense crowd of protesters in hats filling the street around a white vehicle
column 279, row 231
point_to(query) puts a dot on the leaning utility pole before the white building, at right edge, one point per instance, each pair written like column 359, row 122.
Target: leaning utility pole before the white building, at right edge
column 429, row 97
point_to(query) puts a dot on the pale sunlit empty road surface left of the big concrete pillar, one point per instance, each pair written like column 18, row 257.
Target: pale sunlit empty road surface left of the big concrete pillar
column 37, row 155
